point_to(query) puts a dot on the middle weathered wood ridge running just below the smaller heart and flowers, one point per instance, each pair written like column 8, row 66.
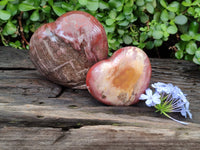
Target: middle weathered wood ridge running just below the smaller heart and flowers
column 65, row 113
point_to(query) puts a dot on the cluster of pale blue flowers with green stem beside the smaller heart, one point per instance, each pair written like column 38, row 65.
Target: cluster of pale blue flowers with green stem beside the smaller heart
column 167, row 98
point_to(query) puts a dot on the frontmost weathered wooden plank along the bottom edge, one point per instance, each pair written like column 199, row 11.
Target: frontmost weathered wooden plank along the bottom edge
column 99, row 137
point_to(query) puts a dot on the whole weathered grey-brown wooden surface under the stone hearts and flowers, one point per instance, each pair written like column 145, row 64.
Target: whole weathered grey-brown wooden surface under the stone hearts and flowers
column 38, row 114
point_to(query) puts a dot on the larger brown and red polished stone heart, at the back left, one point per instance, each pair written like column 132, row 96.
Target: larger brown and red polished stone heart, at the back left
column 64, row 50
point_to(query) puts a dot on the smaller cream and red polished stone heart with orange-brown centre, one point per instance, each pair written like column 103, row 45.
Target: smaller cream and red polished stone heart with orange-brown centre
column 121, row 79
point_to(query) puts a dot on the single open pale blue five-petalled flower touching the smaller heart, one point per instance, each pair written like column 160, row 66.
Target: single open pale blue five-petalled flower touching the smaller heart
column 151, row 99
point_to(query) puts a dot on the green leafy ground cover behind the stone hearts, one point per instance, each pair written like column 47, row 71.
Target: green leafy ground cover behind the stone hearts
column 161, row 26
